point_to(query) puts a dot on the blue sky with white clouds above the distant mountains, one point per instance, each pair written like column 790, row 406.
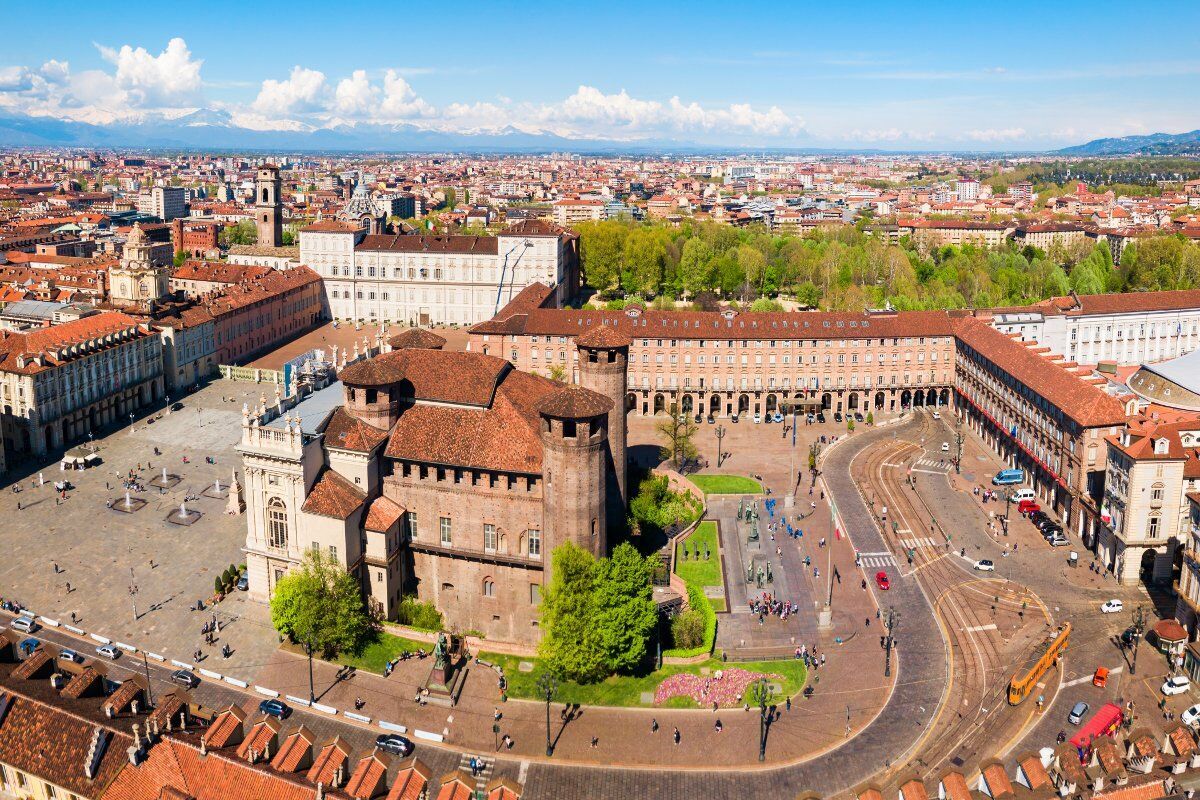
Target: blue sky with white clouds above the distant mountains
column 866, row 75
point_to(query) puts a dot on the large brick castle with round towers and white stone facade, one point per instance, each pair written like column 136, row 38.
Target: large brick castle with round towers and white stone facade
column 447, row 477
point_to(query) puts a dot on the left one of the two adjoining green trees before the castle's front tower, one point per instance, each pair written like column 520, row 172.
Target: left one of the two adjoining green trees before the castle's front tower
column 572, row 646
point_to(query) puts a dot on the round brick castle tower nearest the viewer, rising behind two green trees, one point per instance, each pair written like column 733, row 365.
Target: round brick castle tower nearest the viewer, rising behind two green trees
column 575, row 447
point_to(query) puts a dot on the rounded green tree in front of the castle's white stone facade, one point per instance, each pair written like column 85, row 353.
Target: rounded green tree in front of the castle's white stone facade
column 321, row 607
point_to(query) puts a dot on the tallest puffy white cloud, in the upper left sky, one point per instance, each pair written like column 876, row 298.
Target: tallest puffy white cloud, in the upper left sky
column 170, row 80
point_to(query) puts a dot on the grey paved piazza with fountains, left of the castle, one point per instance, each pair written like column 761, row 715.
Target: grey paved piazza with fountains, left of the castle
column 95, row 549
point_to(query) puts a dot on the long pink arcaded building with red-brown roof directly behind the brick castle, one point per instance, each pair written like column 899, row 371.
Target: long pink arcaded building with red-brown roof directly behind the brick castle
column 729, row 363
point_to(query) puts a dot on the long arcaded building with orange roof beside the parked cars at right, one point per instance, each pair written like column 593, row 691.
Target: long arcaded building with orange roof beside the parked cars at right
column 1042, row 414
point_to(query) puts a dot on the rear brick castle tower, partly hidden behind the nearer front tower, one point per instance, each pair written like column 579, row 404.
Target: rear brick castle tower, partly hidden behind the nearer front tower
column 604, row 364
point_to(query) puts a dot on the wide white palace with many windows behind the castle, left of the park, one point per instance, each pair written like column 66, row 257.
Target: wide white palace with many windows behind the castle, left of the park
column 425, row 280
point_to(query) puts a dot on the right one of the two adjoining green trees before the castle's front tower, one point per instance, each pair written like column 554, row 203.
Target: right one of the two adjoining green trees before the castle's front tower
column 625, row 607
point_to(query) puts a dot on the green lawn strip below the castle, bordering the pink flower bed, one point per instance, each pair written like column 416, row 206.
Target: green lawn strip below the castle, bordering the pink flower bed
column 627, row 690
